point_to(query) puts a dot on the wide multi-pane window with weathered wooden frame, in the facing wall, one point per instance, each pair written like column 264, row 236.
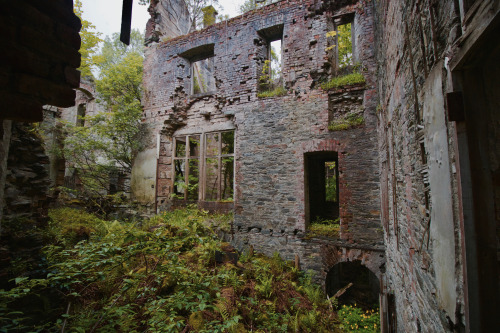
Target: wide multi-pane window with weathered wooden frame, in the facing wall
column 204, row 167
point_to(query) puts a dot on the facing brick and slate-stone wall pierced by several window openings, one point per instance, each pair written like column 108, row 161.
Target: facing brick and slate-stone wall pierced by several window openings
column 273, row 134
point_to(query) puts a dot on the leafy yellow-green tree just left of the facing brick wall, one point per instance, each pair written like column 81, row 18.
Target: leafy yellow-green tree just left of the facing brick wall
column 109, row 140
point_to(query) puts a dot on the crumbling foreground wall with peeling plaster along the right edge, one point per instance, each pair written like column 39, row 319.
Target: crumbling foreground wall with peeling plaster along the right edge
column 421, row 153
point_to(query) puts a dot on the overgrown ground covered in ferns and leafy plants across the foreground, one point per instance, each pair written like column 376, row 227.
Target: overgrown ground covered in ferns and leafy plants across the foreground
column 170, row 273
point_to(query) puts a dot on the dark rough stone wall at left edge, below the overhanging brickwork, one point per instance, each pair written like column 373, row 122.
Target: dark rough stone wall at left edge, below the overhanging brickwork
column 26, row 204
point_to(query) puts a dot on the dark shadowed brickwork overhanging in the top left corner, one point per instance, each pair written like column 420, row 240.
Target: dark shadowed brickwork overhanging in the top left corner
column 39, row 57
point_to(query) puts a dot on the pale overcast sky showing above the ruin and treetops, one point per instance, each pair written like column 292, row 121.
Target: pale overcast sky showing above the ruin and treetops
column 106, row 14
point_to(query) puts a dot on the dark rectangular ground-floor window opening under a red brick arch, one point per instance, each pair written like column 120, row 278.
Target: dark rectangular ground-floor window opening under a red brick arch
column 322, row 182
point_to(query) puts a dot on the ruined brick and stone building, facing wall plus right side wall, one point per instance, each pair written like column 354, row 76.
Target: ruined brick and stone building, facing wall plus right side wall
column 415, row 163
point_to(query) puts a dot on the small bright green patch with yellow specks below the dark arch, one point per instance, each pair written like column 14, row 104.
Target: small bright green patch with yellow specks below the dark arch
column 355, row 319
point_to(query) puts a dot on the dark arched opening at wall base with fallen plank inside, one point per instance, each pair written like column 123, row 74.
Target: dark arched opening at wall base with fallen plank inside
column 365, row 289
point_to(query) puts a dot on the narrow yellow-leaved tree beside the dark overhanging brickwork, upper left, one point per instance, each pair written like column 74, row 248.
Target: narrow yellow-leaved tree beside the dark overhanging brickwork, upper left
column 90, row 41
